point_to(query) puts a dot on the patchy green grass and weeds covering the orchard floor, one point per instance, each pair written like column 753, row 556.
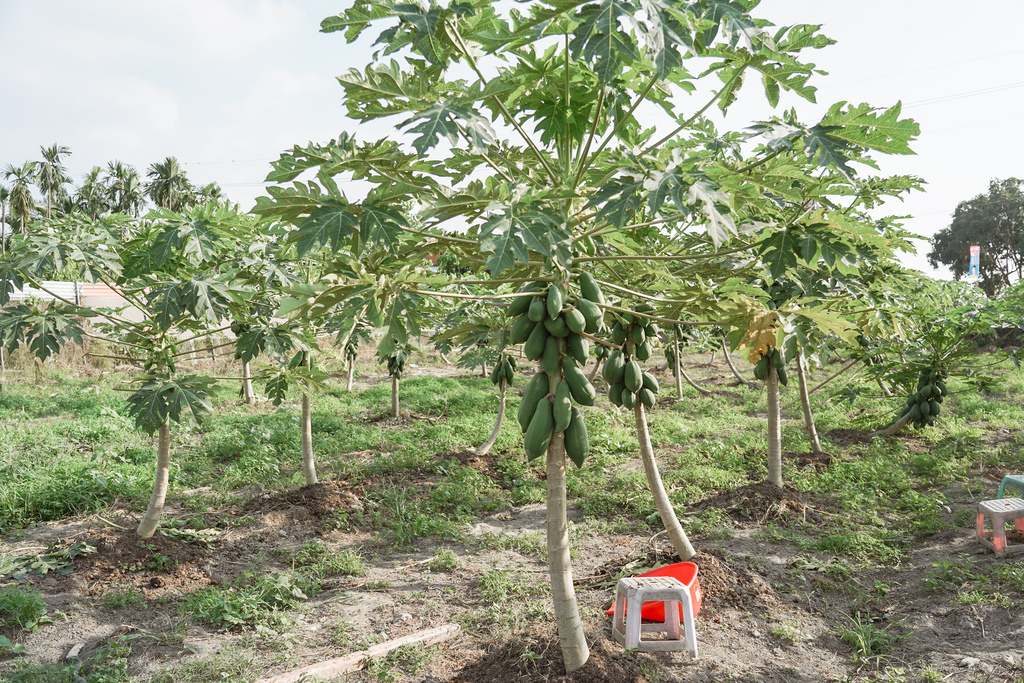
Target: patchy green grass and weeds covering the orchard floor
column 68, row 449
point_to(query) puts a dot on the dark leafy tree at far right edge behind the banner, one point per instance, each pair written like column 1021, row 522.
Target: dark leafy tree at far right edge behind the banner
column 995, row 222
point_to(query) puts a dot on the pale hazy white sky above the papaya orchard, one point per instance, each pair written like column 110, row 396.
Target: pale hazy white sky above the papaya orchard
column 227, row 86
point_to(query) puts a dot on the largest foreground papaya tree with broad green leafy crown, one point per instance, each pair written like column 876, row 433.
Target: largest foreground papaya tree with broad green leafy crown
column 544, row 141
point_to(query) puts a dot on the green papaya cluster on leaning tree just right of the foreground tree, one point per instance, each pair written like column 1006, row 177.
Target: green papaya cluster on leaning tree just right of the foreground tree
column 628, row 383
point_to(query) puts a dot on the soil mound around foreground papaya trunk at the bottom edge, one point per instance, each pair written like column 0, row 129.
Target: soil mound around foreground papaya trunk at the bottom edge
column 521, row 661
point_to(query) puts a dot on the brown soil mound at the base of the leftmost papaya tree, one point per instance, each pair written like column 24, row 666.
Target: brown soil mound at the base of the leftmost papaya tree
column 124, row 560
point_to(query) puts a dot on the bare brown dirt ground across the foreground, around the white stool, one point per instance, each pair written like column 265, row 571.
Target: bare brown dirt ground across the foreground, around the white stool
column 771, row 613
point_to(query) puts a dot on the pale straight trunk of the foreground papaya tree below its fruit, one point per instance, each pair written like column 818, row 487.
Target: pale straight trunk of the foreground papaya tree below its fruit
column 571, row 635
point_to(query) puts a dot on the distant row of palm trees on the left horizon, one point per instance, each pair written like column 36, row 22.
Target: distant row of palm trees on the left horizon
column 116, row 189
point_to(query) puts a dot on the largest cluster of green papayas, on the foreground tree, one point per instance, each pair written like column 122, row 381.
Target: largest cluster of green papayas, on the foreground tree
column 553, row 329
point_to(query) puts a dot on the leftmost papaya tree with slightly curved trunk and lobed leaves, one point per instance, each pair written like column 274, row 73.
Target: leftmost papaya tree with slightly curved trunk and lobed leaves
column 170, row 272
